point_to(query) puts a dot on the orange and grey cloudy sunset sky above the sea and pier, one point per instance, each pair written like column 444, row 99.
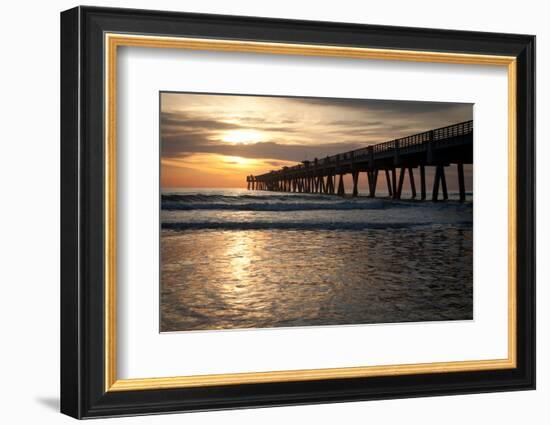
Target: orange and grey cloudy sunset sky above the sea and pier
column 217, row 140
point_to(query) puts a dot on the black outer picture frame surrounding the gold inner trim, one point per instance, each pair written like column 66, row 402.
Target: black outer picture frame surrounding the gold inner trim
column 83, row 392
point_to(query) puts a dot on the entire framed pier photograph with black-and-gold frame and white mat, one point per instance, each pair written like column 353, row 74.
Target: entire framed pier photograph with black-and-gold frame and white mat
column 261, row 212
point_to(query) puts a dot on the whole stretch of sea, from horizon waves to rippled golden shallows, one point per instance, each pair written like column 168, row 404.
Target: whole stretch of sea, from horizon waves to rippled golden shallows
column 246, row 259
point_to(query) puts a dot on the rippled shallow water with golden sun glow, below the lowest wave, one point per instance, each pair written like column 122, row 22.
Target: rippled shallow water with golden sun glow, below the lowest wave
column 253, row 279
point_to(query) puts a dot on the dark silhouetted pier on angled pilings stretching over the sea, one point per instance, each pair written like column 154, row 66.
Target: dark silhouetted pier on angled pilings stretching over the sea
column 437, row 148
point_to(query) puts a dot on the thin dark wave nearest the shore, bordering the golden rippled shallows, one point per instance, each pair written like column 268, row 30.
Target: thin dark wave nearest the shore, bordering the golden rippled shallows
column 180, row 226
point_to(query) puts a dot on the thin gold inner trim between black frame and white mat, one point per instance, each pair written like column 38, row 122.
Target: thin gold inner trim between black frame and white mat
column 113, row 41
